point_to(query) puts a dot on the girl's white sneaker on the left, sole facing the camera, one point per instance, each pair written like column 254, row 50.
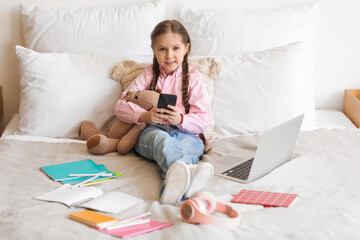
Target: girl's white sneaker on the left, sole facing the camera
column 177, row 181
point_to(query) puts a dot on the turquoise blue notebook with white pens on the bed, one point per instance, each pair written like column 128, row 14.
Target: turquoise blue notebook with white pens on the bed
column 60, row 172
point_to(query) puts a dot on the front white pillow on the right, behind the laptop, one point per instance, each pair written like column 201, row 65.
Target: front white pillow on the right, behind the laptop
column 262, row 89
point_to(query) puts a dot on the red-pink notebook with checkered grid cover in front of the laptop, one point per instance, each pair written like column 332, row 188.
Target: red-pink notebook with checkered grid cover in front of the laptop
column 267, row 199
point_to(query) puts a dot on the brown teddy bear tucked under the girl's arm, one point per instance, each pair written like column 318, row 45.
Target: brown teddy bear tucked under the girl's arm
column 121, row 136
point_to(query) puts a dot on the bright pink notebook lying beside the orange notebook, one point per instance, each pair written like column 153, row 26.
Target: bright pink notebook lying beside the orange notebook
column 137, row 229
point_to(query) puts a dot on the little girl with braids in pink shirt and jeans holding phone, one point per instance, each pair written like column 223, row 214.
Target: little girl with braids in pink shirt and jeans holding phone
column 171, row 136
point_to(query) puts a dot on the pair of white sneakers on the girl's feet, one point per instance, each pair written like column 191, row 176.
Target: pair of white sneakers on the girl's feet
column 185, row 180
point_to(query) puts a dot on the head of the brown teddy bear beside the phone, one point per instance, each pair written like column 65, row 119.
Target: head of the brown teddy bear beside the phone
column 146, row 99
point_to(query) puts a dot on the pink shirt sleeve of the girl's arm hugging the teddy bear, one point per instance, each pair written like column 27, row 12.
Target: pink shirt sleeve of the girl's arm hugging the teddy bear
column 128, row 111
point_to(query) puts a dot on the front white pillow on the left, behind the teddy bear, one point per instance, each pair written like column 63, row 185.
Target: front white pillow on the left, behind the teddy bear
column 60, row 90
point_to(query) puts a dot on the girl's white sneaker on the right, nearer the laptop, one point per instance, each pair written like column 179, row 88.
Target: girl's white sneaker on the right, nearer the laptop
column 200, row 174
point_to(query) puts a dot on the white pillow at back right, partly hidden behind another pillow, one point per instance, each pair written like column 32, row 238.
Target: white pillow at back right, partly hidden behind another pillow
column 230, row 32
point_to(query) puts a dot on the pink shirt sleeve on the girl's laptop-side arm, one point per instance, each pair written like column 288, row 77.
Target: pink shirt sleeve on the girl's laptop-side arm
column 198, row 117
